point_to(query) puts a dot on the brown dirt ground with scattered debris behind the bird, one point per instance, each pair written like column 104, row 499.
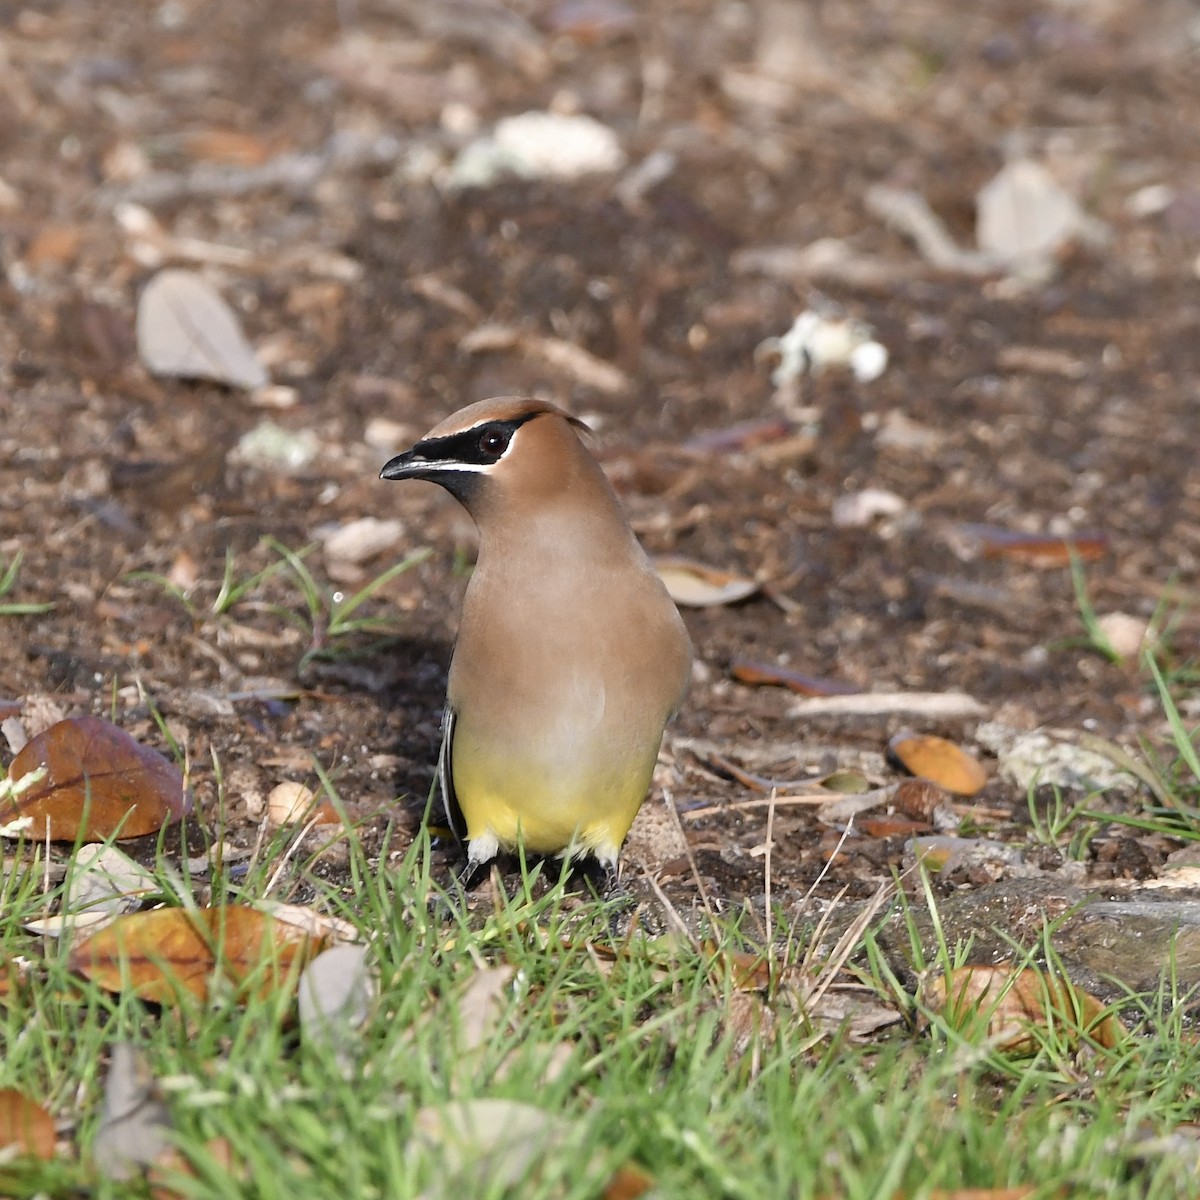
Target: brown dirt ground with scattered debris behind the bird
column 299, row 157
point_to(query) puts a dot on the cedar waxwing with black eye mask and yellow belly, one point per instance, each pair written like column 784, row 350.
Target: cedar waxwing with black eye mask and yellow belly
column 571, row 656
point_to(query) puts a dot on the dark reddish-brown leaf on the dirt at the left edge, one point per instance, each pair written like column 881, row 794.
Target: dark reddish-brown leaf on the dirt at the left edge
column 100, row 783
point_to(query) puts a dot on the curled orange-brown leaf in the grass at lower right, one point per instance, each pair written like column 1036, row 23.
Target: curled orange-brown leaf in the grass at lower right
column 1009, row 1003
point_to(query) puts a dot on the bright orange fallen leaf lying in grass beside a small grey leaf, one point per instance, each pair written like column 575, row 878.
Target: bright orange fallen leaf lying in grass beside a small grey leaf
column 159, row 956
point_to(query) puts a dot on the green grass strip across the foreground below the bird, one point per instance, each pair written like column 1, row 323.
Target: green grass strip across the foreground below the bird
column 631, row 1048
